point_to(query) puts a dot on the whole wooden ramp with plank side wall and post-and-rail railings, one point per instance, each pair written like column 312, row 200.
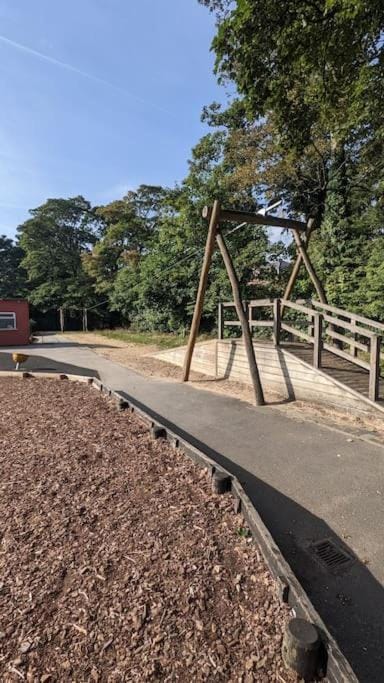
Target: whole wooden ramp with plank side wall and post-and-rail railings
column 313, row 352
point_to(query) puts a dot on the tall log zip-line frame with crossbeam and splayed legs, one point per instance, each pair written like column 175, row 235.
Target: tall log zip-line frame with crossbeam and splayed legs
column 217, row 215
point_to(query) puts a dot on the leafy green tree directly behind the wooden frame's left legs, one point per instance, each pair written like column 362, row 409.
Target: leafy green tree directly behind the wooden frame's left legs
column 158, row 291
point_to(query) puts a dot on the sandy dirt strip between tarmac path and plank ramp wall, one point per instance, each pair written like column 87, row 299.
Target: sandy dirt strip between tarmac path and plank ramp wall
column 139, row 358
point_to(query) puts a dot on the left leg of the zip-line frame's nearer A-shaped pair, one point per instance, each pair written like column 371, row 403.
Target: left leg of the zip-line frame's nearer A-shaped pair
column 209, row 247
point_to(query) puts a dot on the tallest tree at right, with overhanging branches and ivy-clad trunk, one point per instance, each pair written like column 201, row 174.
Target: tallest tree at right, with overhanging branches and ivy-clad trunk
column 311, row 78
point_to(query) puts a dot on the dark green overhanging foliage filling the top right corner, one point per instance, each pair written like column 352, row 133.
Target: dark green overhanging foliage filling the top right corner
column 311, row 65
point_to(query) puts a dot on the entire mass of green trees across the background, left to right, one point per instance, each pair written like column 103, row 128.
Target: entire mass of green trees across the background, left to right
column 303, row 126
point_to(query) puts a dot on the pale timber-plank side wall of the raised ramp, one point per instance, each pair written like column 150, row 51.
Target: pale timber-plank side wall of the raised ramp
column 280, row 371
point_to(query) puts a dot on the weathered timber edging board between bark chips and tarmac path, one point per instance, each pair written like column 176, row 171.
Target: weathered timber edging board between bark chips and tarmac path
column 336, row 667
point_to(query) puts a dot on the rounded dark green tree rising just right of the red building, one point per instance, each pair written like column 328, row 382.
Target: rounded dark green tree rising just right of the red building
column 53, row 241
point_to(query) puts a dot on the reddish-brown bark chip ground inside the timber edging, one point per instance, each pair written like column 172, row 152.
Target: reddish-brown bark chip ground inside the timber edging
column 117, row 562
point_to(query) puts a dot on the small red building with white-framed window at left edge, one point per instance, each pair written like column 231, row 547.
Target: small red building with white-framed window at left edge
column 14, row 322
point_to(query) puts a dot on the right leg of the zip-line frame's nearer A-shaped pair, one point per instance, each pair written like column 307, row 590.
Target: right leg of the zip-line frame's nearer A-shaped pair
column 249, row 348
